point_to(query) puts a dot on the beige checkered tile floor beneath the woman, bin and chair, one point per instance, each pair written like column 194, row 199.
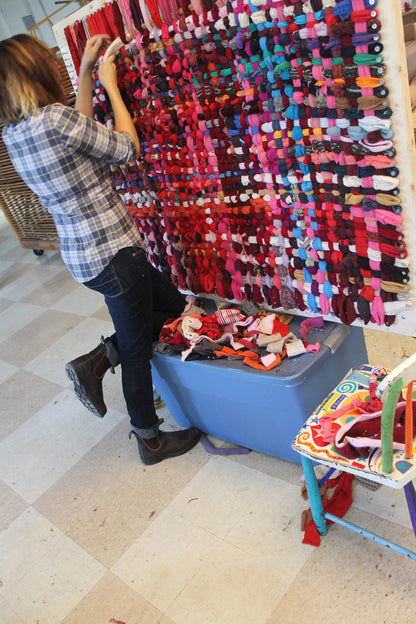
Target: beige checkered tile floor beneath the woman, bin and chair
column 91, row 536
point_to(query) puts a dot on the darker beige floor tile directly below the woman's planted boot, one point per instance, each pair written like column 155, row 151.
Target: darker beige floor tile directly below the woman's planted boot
column 102, row 514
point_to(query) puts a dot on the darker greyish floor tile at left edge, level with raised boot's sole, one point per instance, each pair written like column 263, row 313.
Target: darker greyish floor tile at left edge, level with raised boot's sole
column 23, row 394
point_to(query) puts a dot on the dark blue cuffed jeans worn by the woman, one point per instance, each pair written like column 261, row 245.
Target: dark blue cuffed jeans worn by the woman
column 139, row 299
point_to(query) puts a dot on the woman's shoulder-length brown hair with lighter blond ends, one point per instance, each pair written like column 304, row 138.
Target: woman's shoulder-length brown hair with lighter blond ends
column 29, row 77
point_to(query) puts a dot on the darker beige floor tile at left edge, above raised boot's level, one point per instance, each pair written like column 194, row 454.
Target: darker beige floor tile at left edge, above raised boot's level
column 37, row 336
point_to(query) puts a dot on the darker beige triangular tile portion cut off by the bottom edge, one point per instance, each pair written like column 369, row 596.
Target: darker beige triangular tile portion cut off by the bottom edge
column 111, row 600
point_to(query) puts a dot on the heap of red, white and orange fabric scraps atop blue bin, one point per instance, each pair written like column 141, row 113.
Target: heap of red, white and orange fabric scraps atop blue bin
column 261, row 340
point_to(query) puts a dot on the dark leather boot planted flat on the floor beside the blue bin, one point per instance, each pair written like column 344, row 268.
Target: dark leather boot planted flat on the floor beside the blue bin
column 166, row 444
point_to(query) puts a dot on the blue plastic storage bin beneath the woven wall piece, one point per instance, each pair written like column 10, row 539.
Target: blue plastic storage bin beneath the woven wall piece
column 260, row 410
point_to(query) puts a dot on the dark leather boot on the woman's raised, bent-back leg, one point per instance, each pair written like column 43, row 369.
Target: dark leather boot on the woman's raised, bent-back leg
column 87, row 372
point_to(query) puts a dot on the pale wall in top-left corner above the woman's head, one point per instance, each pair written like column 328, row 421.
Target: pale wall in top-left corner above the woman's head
column 12, row 11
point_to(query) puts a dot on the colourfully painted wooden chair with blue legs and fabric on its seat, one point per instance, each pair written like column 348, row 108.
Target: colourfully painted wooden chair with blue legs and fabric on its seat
column 341, row 435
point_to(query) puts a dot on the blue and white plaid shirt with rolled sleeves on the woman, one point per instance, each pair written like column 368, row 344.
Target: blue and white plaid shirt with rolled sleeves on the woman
column 64, row 157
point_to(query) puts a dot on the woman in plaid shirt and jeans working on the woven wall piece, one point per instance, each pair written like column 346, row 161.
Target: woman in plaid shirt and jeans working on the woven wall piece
column 63, row 155
